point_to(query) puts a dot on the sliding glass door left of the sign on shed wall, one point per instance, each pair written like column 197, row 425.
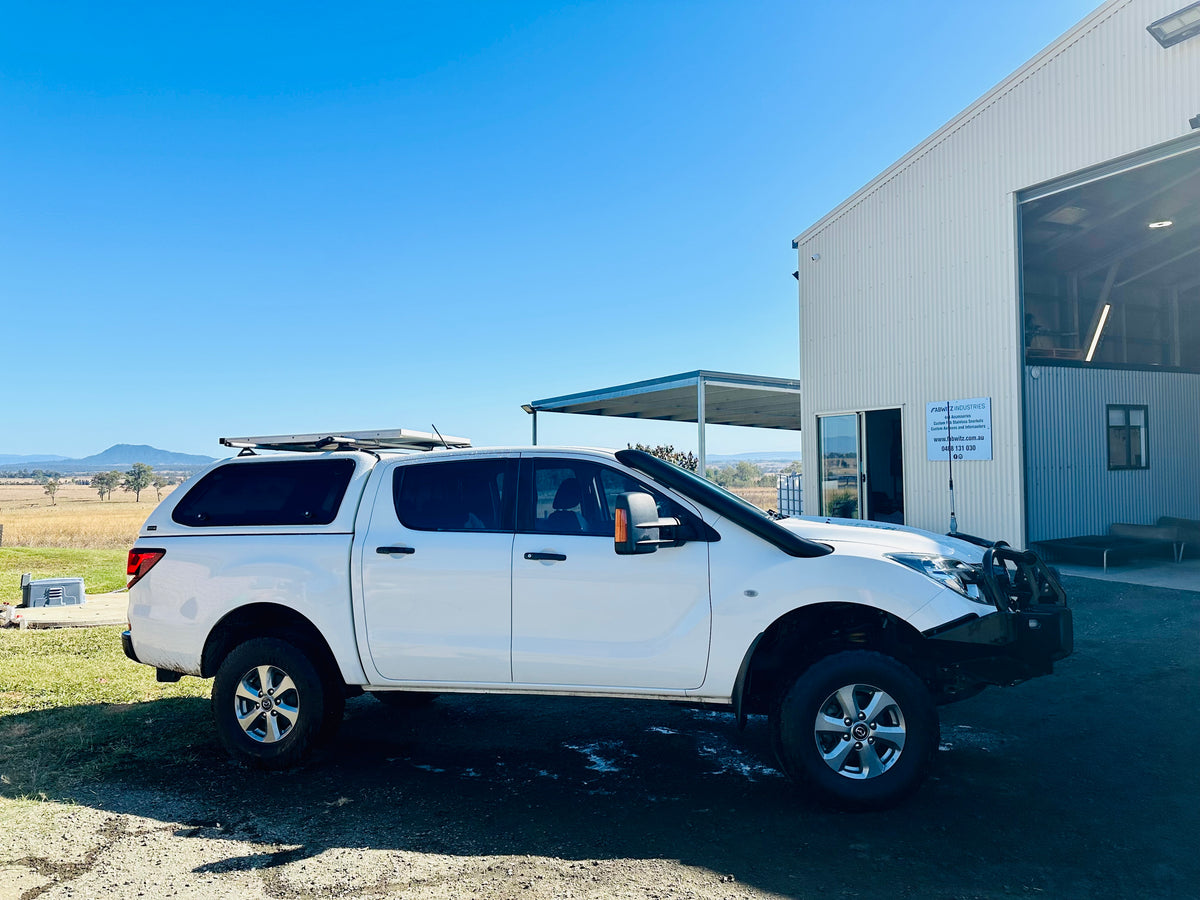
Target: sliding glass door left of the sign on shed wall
column 862, row 466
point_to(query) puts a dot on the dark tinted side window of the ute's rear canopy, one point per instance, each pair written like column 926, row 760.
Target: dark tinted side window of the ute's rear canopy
column 268, row 494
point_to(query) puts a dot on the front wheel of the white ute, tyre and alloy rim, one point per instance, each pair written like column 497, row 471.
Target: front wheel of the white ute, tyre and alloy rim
column 859, row 729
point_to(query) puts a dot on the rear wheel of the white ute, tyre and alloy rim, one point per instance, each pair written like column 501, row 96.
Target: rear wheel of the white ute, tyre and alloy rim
column 272, row 706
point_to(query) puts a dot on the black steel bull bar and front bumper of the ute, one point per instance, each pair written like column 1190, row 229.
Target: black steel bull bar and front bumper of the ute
column 1031, row 629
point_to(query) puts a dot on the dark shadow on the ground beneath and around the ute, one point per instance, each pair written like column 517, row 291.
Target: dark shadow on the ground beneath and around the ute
column 1059, row 787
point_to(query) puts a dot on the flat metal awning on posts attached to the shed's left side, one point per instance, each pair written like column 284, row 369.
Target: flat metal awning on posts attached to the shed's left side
column 704, row 398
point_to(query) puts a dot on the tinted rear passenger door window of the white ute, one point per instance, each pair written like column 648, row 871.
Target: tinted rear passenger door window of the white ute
column 467, row 496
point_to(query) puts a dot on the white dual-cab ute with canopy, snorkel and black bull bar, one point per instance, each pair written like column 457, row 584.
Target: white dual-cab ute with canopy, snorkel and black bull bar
column 315, row 567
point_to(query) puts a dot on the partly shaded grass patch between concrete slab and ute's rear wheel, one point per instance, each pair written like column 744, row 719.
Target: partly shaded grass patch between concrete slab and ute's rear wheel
column 74, row 710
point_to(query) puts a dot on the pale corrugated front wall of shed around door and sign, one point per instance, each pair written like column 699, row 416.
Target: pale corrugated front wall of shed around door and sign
column 915, row 297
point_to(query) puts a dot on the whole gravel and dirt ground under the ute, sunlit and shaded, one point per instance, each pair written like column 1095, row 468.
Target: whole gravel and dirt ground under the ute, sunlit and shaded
column 1079, row 785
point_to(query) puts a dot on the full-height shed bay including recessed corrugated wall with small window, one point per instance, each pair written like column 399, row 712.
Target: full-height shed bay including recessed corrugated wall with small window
column 1111, row 321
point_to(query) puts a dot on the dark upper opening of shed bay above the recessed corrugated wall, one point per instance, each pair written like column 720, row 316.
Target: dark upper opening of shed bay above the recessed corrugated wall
column 1111, row 265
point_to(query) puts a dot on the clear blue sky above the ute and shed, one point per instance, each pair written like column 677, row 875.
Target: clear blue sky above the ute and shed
column 283, row 218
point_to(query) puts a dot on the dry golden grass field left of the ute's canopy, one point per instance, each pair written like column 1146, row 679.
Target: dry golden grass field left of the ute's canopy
column 77, row 518
